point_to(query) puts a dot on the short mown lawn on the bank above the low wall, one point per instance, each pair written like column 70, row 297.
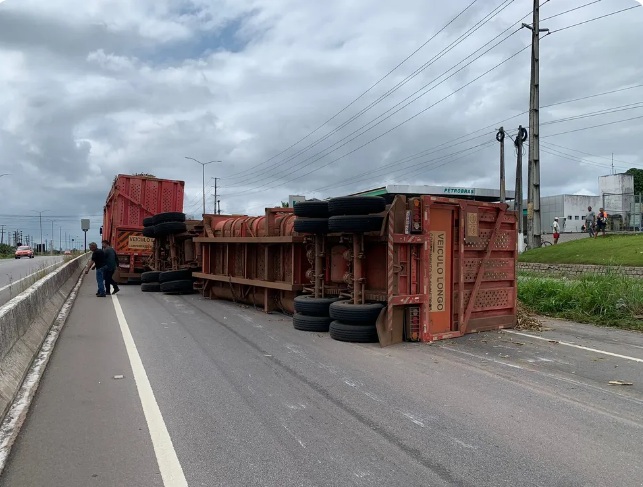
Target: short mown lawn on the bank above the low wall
column 624, row 250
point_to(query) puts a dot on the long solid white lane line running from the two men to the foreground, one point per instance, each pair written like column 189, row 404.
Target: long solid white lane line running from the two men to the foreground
column 169, row 465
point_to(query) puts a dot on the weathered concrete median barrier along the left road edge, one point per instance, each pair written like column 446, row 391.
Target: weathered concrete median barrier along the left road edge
column 25, row 322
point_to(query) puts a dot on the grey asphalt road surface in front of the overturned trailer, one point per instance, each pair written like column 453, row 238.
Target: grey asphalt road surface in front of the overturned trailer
column 249, row 401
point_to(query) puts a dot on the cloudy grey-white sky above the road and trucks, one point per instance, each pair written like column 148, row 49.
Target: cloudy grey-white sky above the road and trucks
column 308, row 98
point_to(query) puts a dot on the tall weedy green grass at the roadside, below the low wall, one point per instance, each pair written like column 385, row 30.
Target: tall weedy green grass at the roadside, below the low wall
column 607, row 300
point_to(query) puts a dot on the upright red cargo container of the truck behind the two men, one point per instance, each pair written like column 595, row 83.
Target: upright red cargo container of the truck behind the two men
column 131, row 199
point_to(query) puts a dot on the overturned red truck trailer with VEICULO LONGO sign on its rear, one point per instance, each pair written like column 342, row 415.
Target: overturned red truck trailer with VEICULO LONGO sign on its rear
column 420, row 268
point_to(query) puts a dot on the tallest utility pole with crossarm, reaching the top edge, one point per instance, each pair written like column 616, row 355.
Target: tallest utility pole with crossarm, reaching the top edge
column 533, row 174
